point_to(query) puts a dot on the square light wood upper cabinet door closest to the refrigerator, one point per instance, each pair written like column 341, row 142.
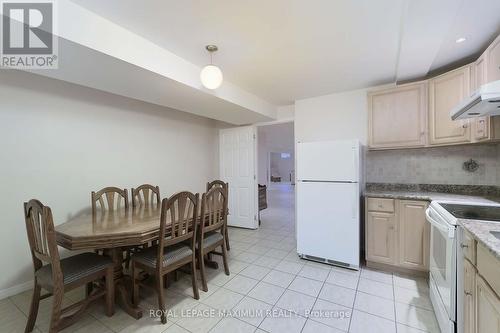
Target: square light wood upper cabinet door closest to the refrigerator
column 405, row 106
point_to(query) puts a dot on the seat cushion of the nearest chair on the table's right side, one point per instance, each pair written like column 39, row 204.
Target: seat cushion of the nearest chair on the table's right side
column 171, row 254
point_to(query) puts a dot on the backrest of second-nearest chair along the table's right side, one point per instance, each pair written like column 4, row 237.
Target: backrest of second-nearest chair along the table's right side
column 213, row 210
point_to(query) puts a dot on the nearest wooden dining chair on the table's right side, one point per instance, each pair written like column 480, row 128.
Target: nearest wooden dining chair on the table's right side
column 176, row 246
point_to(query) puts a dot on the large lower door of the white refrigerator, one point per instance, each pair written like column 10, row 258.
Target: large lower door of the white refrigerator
column 328, row 221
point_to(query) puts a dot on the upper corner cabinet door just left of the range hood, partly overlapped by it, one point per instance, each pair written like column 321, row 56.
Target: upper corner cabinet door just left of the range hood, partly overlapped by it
column 445, row 92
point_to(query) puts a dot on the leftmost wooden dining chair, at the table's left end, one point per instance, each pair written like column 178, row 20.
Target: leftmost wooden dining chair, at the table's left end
column 58, row 276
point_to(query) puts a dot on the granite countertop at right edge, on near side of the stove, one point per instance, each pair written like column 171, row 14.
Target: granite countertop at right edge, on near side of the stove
column 480, row 230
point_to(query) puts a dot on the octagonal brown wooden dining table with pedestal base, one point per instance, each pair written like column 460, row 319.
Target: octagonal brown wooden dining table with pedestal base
column 113, row 231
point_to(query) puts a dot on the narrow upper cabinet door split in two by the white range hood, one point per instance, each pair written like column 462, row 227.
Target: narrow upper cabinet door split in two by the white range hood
column 481, row 125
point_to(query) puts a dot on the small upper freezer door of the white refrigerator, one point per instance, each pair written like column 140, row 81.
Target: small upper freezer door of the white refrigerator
column 328, row 161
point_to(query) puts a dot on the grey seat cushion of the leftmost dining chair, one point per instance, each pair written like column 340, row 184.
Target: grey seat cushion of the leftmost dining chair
column 74, row 268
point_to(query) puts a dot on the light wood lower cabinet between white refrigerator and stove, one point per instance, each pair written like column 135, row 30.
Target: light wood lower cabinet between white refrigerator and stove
column 397, row 233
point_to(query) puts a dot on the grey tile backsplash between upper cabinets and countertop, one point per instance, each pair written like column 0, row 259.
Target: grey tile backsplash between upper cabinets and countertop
column 439, row 165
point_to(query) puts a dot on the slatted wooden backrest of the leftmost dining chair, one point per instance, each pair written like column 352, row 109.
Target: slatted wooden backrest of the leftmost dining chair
column 42, row 237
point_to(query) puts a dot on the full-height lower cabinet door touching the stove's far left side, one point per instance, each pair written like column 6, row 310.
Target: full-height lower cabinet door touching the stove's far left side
column 414, row 235
